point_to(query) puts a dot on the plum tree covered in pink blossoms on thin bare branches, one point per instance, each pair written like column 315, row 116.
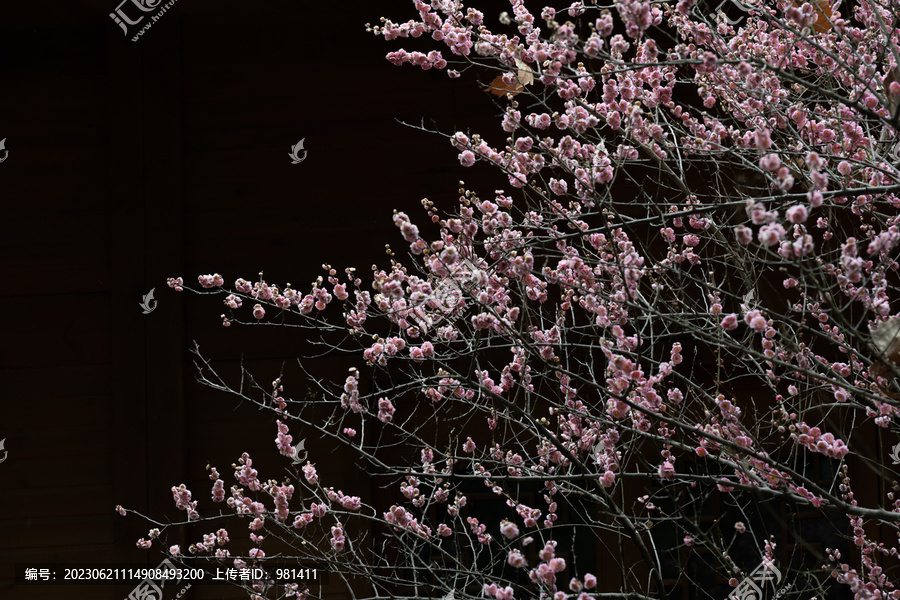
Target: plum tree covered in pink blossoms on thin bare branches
column 664, row 354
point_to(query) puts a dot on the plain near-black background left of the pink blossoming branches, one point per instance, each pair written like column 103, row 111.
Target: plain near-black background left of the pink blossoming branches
column 130, row 162
